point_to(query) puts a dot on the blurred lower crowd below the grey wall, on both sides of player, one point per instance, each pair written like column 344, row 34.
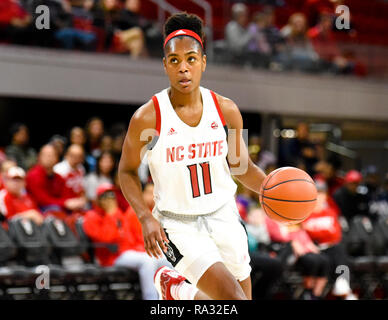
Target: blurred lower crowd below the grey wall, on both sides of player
column 75, row 175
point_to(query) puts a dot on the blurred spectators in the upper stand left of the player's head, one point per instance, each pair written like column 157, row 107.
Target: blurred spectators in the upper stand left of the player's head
column 90, row 25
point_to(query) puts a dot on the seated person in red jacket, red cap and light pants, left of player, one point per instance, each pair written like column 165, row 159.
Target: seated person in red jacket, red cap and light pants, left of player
column 107, row 223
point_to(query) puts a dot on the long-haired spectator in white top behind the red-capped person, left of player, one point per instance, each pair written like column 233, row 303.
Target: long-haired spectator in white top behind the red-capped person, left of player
column 104, row 174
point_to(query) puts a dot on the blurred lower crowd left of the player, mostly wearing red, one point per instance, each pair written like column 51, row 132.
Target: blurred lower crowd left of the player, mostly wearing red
column 75, row 176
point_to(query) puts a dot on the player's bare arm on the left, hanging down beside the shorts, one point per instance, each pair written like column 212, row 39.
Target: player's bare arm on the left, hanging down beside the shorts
column 143, row 119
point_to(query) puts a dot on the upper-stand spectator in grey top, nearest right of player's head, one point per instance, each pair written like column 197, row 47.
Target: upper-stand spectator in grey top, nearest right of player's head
column 236, row 34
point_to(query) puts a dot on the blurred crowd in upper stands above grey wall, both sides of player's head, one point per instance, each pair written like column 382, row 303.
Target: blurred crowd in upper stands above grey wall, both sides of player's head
column 308, row 42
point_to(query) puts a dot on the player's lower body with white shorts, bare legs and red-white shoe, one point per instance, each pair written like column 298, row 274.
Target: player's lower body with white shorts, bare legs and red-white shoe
column 214, row 266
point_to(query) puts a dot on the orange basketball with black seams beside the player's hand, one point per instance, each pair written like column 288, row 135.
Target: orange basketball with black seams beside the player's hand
column 288, row 195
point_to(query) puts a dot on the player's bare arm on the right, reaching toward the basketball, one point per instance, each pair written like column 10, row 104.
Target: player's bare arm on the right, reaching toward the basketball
column 241, row 165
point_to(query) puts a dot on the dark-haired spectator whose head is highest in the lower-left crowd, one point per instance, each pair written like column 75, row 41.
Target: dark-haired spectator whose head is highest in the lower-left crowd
column 94, row 133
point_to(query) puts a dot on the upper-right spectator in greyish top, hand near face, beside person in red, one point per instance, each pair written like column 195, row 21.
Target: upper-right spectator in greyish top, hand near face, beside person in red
column 300, row 53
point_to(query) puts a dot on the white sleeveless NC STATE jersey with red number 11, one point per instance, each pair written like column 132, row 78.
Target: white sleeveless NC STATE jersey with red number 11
column 188, row 164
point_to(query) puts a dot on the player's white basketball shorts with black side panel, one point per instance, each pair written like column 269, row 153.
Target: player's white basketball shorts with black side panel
column 197, row 242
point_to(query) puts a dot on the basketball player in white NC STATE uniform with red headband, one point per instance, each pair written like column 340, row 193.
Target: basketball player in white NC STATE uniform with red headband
column 195, row 220
